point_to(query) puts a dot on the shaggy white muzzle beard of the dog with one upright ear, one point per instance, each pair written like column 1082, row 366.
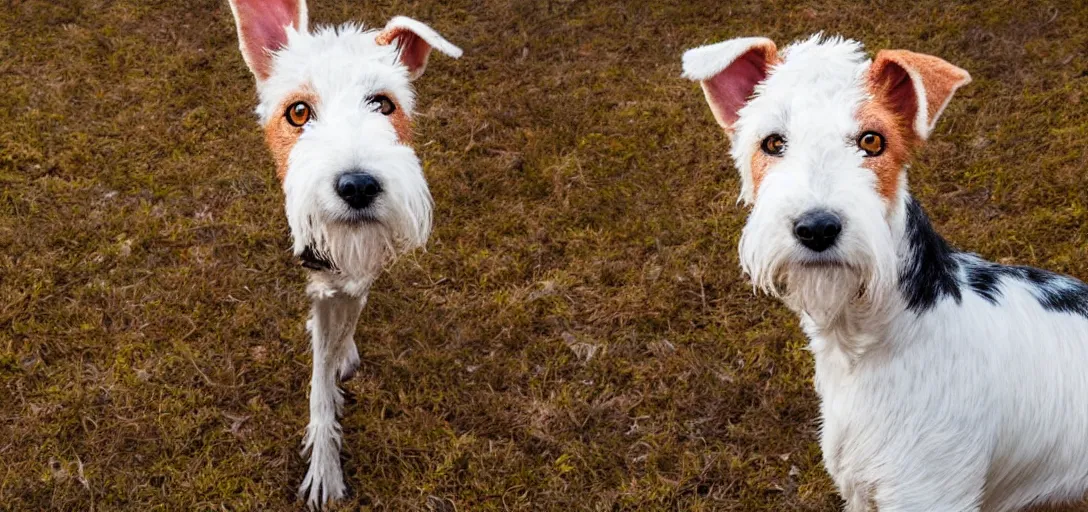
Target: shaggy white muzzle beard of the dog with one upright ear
column 358, row 244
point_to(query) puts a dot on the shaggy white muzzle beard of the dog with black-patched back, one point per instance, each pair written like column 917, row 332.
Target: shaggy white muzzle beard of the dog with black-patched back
column 858, row 277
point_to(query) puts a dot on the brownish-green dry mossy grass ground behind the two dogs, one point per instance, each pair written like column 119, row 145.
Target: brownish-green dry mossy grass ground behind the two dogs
column 577, row 336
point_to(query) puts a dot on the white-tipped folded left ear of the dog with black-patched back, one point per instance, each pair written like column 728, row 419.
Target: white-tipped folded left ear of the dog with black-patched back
column 730, row 72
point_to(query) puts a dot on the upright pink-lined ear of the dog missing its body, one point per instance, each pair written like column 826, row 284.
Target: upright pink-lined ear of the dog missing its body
column 263, row 30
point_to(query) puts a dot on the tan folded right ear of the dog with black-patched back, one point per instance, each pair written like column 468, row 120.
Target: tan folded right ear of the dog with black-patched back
column 917, row 85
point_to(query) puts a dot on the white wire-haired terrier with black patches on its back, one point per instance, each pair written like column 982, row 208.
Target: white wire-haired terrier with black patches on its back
column 947, row 383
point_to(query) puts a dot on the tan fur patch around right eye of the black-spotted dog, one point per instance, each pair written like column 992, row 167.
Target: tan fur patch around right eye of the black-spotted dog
column 900, row 141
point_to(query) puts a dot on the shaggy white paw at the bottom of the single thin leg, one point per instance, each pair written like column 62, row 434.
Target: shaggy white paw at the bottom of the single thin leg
column 325, row 480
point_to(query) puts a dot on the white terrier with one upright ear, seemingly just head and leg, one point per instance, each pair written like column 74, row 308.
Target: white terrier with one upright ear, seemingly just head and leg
column 337, row 107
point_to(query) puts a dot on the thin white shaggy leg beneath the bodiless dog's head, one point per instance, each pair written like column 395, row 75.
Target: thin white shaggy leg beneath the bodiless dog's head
column 332, row 323
